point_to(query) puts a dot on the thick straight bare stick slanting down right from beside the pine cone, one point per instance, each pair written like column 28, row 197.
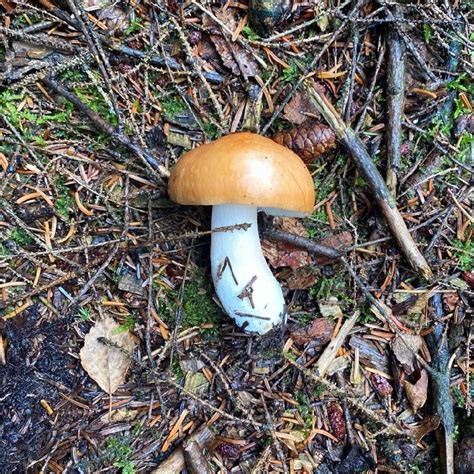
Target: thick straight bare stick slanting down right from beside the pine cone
column 381, row 193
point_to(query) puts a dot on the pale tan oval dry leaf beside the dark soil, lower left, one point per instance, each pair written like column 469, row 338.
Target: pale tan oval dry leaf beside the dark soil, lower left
column 106, row 354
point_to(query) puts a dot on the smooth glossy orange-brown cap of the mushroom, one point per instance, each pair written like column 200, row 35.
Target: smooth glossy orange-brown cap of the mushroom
column 243, row 168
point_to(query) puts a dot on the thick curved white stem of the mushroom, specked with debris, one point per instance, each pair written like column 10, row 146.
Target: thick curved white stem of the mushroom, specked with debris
column 246, row 287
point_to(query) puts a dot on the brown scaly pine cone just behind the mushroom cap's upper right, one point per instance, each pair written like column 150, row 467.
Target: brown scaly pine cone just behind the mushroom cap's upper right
column 308, row 141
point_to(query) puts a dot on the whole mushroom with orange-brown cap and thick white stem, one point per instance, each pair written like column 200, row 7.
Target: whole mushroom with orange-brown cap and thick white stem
column 238, row 175
